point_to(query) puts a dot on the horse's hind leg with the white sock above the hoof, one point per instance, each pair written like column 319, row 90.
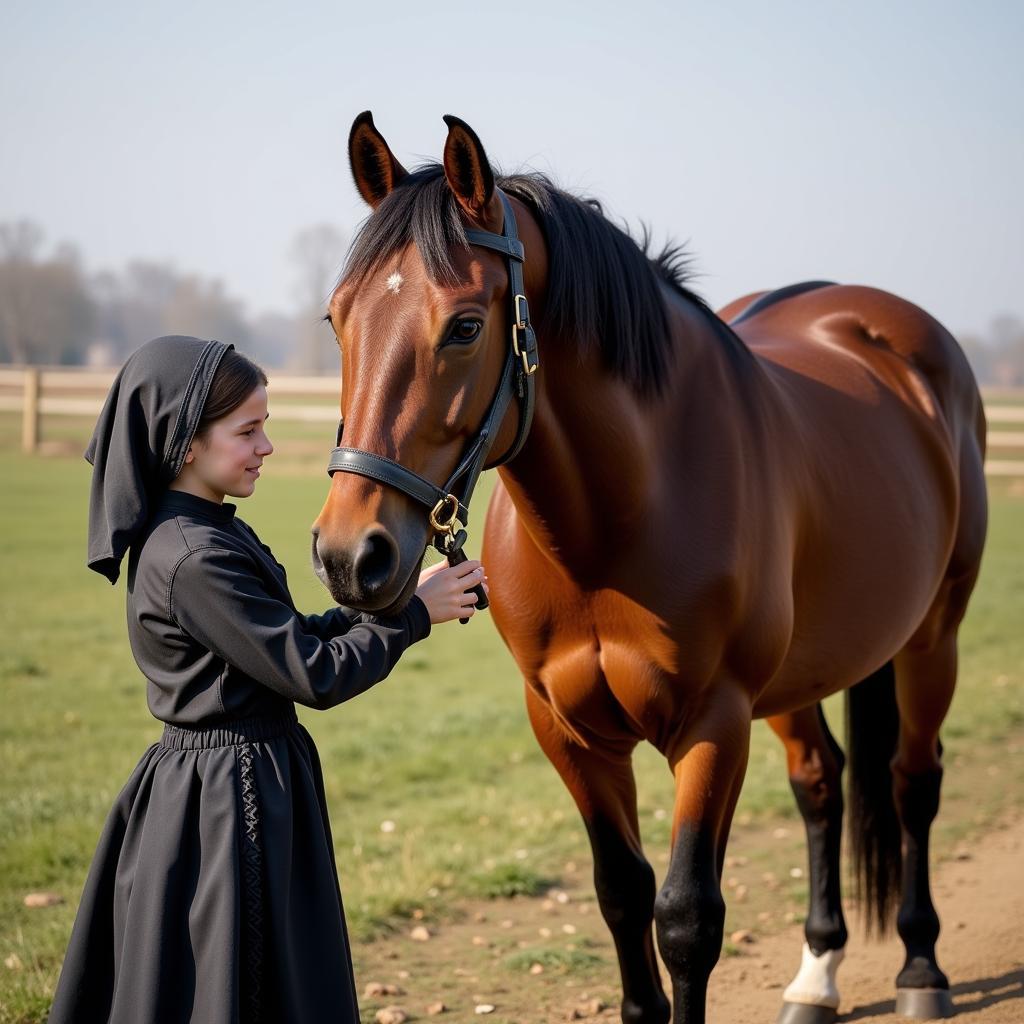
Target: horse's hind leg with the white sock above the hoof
column 816, row 765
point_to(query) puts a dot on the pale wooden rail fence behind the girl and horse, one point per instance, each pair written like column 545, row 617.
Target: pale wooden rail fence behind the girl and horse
column 39, row 392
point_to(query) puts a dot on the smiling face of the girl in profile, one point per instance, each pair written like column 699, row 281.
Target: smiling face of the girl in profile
column 227, row 461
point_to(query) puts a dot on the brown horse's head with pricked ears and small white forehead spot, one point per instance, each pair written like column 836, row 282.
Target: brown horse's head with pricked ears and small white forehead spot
column 423, row 324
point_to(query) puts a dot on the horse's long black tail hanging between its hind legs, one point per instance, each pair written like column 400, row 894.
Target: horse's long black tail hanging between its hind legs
column 872, row 732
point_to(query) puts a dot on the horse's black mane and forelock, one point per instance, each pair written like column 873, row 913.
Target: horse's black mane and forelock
column 604, row 286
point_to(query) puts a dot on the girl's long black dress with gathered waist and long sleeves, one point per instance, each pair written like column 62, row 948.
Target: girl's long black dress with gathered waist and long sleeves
column 214, row 897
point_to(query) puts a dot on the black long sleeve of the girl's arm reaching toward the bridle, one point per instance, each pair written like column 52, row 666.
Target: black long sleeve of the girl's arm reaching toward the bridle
column 217, row 598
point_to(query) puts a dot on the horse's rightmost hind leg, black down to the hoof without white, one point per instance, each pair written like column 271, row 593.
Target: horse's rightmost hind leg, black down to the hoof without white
column 925, row 684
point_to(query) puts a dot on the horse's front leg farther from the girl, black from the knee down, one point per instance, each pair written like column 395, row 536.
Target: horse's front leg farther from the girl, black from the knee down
column 708, row 760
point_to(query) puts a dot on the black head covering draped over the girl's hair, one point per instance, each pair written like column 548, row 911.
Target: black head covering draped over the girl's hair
column 142, row 439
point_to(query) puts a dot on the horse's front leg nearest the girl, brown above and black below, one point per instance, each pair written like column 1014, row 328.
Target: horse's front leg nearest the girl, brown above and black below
column 603, row 786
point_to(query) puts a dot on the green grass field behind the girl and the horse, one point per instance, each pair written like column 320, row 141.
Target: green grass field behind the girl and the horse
column 443, row 749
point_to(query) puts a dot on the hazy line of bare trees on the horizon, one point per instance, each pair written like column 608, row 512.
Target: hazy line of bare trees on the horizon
column 53, row 312
